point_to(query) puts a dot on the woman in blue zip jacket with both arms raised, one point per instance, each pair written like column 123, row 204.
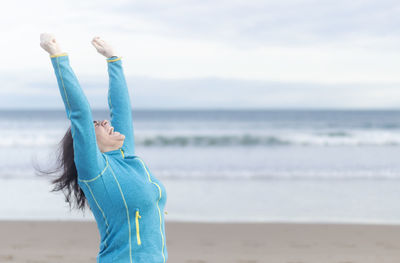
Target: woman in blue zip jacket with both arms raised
column 100, row 166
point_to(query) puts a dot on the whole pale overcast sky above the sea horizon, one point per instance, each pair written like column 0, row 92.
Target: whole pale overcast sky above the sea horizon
column 209, row 54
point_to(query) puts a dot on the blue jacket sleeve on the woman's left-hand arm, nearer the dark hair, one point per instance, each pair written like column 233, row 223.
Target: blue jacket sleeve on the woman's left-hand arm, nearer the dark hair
column 89, row 161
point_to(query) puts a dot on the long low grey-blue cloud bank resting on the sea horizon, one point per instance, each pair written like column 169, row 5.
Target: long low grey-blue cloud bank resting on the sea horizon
column 215, row 93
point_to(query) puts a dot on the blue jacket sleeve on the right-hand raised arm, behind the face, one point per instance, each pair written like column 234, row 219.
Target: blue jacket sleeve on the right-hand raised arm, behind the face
column 120, row 104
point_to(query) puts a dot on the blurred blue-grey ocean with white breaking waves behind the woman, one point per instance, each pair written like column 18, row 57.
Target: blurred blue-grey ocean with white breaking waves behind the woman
column 227, row 165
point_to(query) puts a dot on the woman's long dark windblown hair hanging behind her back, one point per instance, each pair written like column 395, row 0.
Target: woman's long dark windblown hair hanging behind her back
column 67, row 181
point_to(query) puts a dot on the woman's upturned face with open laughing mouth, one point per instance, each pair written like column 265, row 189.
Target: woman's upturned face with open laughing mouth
column 107, row 138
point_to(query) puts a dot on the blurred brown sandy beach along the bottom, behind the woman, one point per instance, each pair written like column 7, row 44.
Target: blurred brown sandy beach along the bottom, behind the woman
column 57, row 241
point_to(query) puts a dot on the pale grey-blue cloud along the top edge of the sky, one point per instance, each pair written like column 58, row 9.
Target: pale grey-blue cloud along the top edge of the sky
column 255, row 23
